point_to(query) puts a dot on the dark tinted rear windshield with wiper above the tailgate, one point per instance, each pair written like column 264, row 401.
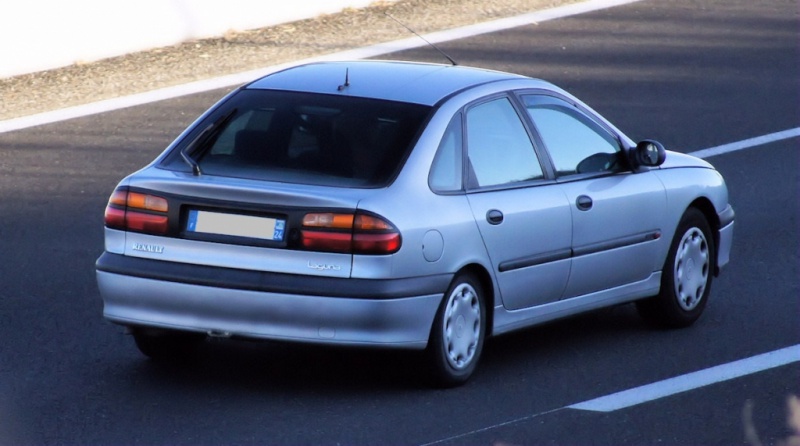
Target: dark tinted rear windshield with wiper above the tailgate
column 304, row 138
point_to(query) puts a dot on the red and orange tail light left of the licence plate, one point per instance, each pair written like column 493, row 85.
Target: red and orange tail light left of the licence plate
column 134, row 211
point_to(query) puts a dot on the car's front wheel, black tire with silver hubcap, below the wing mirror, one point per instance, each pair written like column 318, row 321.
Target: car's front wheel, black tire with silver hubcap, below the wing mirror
column 686, row 277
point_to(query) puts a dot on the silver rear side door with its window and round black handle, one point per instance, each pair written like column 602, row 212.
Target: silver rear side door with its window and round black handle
column 524, row 219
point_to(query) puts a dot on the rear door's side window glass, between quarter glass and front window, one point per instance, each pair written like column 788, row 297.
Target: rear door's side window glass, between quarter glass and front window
column 500, row 150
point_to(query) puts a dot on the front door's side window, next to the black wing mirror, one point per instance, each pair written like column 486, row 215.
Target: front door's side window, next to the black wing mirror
column 576, row 143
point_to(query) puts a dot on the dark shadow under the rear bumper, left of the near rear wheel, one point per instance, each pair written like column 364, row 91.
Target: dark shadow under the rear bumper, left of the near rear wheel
column 265, row 365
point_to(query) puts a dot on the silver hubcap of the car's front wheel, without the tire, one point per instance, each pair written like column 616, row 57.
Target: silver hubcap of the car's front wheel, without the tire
column 692, row 265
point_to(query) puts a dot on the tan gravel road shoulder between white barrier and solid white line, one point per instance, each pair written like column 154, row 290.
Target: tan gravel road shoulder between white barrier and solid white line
column 247, row 50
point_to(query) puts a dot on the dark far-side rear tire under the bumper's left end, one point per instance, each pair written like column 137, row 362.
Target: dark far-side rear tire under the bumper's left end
column 166, row 345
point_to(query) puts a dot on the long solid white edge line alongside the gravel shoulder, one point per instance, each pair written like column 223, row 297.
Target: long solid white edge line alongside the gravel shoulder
column 358, row 53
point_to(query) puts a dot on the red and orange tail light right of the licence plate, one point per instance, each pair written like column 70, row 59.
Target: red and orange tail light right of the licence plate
column 356, row 233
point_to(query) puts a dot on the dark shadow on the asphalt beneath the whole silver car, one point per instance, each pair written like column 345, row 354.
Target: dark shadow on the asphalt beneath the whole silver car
column 264, row 366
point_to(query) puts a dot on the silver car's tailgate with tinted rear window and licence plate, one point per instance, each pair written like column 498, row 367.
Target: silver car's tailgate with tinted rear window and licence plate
column 271, row 181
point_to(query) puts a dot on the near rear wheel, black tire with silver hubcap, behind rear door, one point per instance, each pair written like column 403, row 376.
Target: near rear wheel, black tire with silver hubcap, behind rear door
column 457, row 336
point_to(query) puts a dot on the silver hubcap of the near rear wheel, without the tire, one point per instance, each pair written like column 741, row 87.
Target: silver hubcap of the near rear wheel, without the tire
column 462, row 325
